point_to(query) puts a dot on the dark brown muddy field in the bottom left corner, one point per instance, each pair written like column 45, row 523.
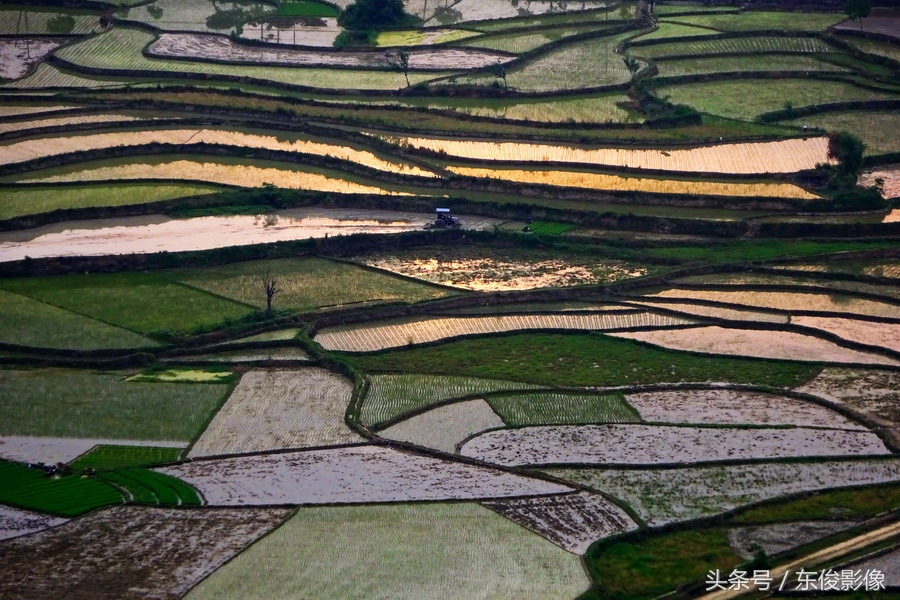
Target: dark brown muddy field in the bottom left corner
column 129, row 552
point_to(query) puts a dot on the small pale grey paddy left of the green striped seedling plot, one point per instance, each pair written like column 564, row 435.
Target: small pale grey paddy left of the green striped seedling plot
column 444, row 427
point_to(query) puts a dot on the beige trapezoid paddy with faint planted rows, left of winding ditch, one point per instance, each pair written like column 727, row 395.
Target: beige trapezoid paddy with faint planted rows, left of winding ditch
column 270, row 410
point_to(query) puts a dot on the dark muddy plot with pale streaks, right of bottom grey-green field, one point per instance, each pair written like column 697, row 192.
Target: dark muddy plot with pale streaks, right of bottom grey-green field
column 571, row 521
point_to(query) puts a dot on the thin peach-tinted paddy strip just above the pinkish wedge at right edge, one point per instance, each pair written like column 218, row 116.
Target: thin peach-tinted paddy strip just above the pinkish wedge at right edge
column 791, row 301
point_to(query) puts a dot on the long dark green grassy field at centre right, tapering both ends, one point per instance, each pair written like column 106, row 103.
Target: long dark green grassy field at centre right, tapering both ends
column 581, row 360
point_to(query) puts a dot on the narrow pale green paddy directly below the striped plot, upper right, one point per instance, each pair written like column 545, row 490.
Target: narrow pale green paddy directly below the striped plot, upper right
column 736, row 64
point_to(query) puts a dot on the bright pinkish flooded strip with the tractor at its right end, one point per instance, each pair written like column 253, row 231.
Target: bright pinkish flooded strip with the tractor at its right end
column 143, row 235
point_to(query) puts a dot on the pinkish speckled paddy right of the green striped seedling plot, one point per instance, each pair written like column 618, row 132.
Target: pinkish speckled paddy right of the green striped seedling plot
column 735, row 407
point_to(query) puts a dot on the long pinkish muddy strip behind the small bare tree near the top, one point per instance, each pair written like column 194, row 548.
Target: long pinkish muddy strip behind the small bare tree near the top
column 213, row 47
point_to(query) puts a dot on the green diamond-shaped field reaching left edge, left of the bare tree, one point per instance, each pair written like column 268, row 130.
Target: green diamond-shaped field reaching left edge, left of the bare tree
column 124, row 299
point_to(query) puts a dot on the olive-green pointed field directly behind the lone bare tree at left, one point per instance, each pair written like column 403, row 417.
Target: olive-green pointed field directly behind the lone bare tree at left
column 306, row 283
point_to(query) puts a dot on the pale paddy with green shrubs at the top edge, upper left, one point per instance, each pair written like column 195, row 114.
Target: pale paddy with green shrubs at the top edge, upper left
column 183, row 15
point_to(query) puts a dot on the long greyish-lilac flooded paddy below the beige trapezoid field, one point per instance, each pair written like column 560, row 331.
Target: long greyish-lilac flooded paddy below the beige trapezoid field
column 349, row 475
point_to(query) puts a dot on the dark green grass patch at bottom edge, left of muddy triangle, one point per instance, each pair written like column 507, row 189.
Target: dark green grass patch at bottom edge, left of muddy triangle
column 659, row 563
